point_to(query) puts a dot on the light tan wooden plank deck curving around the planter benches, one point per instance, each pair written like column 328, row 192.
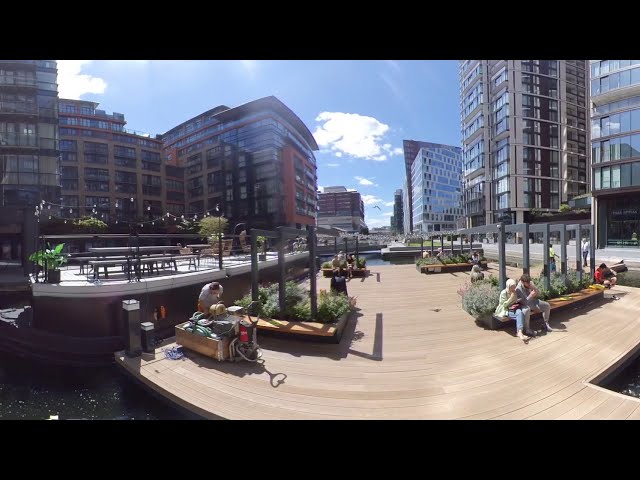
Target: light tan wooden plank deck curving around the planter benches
column 411, row 352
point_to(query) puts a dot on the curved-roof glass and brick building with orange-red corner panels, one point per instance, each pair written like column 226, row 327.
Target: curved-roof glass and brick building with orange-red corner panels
column 254, row 162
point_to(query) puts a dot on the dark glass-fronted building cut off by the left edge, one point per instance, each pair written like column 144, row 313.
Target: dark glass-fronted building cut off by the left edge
column 29, row 155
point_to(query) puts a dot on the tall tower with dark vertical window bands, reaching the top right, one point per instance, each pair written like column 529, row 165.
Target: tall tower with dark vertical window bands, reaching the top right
column 524, row 135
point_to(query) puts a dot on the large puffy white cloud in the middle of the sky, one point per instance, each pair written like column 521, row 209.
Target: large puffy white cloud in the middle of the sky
column 355, row 135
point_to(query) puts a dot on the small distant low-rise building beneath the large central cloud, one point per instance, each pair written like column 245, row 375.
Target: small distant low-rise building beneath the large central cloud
column 340, row 208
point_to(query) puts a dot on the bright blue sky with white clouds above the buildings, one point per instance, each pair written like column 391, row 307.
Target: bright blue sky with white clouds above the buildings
column 359, row 111
